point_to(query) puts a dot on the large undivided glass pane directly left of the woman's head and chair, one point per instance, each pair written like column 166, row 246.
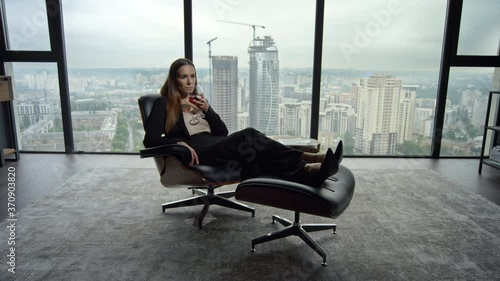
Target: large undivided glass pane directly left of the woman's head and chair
column 117, row 51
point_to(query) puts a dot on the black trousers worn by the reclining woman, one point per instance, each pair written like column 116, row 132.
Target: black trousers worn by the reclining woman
column 250, row 152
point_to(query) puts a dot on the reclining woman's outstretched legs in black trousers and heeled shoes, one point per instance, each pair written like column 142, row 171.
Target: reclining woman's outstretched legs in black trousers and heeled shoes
column 255, row 155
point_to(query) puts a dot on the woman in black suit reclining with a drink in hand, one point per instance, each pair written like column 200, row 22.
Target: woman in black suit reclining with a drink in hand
column 175, row 118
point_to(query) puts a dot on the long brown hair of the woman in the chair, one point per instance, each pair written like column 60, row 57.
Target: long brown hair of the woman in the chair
column 170, row 90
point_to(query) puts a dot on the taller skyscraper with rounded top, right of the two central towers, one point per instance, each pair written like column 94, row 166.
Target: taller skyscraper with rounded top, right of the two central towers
column 264, row 85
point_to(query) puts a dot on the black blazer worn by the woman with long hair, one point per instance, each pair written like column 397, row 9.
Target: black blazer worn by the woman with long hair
column 155, row 126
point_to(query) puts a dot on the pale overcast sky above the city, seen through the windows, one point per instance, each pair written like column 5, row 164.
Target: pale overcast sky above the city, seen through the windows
column 360, row 34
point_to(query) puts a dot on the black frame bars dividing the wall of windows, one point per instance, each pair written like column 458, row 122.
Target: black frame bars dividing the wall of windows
column 449, row 59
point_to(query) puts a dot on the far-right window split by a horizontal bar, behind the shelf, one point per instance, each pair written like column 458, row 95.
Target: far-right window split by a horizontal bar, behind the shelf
column 468, row 88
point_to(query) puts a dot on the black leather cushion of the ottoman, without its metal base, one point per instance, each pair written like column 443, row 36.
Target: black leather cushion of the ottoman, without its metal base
column 329, row 201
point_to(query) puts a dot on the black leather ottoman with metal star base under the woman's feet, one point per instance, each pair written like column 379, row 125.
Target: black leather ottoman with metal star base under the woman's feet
column 330, row 201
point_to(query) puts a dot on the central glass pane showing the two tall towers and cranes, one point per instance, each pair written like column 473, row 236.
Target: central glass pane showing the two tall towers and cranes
column 254, row 60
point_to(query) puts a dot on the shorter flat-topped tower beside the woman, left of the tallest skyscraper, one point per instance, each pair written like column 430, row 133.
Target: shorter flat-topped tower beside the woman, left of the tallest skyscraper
column 224, row 99
